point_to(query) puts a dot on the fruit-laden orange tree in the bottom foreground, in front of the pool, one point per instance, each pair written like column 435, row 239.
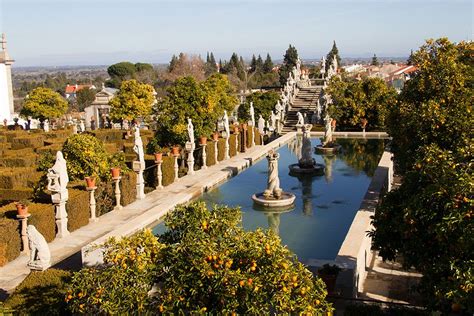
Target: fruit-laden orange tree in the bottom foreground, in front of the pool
column 204, row 263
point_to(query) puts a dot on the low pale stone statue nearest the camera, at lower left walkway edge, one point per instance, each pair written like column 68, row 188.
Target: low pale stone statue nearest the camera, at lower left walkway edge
column 40, row 256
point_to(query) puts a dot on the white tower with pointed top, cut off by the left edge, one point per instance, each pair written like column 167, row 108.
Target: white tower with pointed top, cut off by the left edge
column 6, row 89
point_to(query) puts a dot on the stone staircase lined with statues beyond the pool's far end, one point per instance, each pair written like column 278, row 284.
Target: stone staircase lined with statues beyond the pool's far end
column 305, row 102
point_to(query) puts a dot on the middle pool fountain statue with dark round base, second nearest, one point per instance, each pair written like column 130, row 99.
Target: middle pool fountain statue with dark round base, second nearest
column 306, row 164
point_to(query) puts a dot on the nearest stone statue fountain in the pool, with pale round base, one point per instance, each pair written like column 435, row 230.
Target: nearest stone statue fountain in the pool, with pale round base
column 273, row 196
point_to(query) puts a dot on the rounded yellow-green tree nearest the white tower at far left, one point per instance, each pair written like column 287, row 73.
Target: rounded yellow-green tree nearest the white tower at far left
column 43, row 103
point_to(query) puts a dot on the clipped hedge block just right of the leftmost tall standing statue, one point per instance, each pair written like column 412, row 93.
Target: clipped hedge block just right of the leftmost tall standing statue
column 78, row 209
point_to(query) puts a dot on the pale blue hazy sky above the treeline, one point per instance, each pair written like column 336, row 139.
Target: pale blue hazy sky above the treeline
column 102, row 32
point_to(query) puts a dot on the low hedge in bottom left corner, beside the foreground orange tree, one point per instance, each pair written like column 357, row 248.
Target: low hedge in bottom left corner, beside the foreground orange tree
column 41, row 293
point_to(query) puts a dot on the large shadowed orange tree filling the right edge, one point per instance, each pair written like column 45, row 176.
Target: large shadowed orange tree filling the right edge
column 427, row 221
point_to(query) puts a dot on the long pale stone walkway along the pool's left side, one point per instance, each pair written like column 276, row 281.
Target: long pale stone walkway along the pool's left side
column 139, row 214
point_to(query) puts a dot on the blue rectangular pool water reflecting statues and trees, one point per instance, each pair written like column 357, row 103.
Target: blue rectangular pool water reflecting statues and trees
column 325, row 205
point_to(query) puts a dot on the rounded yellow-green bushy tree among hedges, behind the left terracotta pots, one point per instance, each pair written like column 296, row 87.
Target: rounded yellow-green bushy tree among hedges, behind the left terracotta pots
column 86, row 156
